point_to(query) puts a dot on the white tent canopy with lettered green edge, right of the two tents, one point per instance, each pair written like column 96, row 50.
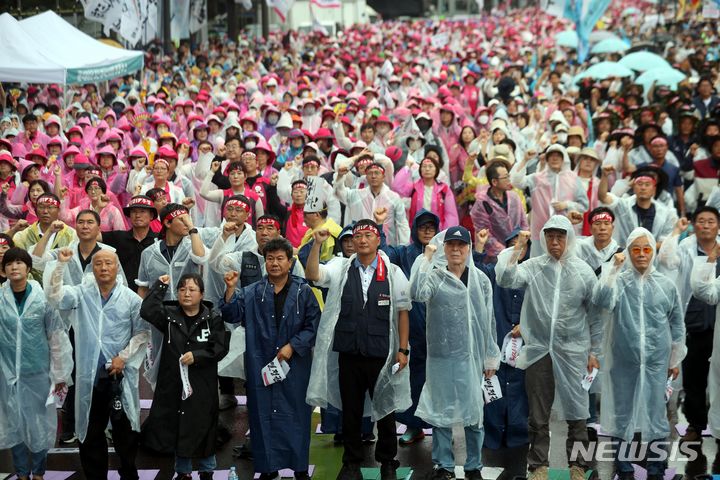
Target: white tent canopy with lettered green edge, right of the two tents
column 85, row 59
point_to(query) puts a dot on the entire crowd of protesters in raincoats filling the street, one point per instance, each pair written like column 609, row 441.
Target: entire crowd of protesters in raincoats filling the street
column 383, row 224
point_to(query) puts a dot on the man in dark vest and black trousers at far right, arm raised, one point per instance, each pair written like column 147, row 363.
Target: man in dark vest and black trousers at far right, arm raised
column 675, row 260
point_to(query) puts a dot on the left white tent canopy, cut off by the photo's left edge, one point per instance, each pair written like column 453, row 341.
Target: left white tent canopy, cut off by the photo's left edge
column 21, row 59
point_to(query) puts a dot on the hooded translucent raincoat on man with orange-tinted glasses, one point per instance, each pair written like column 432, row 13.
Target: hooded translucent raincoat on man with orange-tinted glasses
column 644, row 338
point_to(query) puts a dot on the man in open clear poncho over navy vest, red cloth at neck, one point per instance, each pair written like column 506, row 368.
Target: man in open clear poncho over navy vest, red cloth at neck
column 364, row 329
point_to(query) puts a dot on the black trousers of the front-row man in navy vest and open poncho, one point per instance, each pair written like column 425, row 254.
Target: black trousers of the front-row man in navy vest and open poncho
column 358, row 374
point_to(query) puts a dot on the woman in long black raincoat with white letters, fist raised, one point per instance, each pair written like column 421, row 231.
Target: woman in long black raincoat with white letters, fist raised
column 184, row 414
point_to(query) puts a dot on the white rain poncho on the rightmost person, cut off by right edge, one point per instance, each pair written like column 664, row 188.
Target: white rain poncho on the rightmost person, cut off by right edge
column 707, row 288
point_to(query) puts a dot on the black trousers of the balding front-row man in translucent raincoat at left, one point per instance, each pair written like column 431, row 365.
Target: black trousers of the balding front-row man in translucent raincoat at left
column 94, row 450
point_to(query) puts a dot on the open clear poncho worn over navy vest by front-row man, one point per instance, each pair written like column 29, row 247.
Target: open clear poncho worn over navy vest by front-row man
column 392, row 392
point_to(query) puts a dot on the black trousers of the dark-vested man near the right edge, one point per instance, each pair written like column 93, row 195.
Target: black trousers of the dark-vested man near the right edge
column 696, row 367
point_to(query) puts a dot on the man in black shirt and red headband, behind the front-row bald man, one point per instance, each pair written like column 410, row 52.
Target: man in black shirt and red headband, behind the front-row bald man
column 129, row 244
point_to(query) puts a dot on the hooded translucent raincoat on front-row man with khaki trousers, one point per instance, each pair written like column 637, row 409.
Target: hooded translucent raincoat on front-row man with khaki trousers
column 554, row 318
